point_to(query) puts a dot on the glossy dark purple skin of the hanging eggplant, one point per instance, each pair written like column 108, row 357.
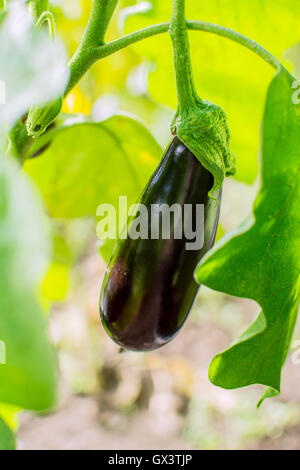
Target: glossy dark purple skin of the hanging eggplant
column 149, row 288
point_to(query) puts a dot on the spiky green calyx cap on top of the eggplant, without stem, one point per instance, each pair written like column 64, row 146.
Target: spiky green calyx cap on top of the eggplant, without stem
column 203, row 129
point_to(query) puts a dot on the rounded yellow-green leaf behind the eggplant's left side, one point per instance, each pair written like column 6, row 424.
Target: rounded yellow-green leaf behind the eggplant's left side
column 88, row 164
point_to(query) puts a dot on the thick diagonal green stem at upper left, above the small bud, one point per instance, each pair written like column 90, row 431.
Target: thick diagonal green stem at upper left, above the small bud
column 93, row 38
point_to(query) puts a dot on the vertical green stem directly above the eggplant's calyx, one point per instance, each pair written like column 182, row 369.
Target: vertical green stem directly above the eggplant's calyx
column 186, row 91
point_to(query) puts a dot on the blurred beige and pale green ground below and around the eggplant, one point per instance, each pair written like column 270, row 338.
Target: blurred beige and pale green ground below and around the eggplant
column 161, row 400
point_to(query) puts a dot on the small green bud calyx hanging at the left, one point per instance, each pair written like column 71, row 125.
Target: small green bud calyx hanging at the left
column 39, row 118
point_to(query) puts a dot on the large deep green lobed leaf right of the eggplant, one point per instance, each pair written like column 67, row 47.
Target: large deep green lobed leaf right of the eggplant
column 260, row 260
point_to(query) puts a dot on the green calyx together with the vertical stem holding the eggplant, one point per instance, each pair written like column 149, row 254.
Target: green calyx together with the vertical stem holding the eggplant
column 199, row 124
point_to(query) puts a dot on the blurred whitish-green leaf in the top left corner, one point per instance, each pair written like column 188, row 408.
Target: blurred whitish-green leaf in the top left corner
column 33, row 68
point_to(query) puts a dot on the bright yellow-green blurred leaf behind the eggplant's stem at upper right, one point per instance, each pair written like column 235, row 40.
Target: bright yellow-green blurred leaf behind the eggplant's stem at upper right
column 225, row 73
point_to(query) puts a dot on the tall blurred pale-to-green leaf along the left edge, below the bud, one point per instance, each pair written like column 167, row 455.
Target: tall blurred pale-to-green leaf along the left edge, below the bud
column 28, row 366
